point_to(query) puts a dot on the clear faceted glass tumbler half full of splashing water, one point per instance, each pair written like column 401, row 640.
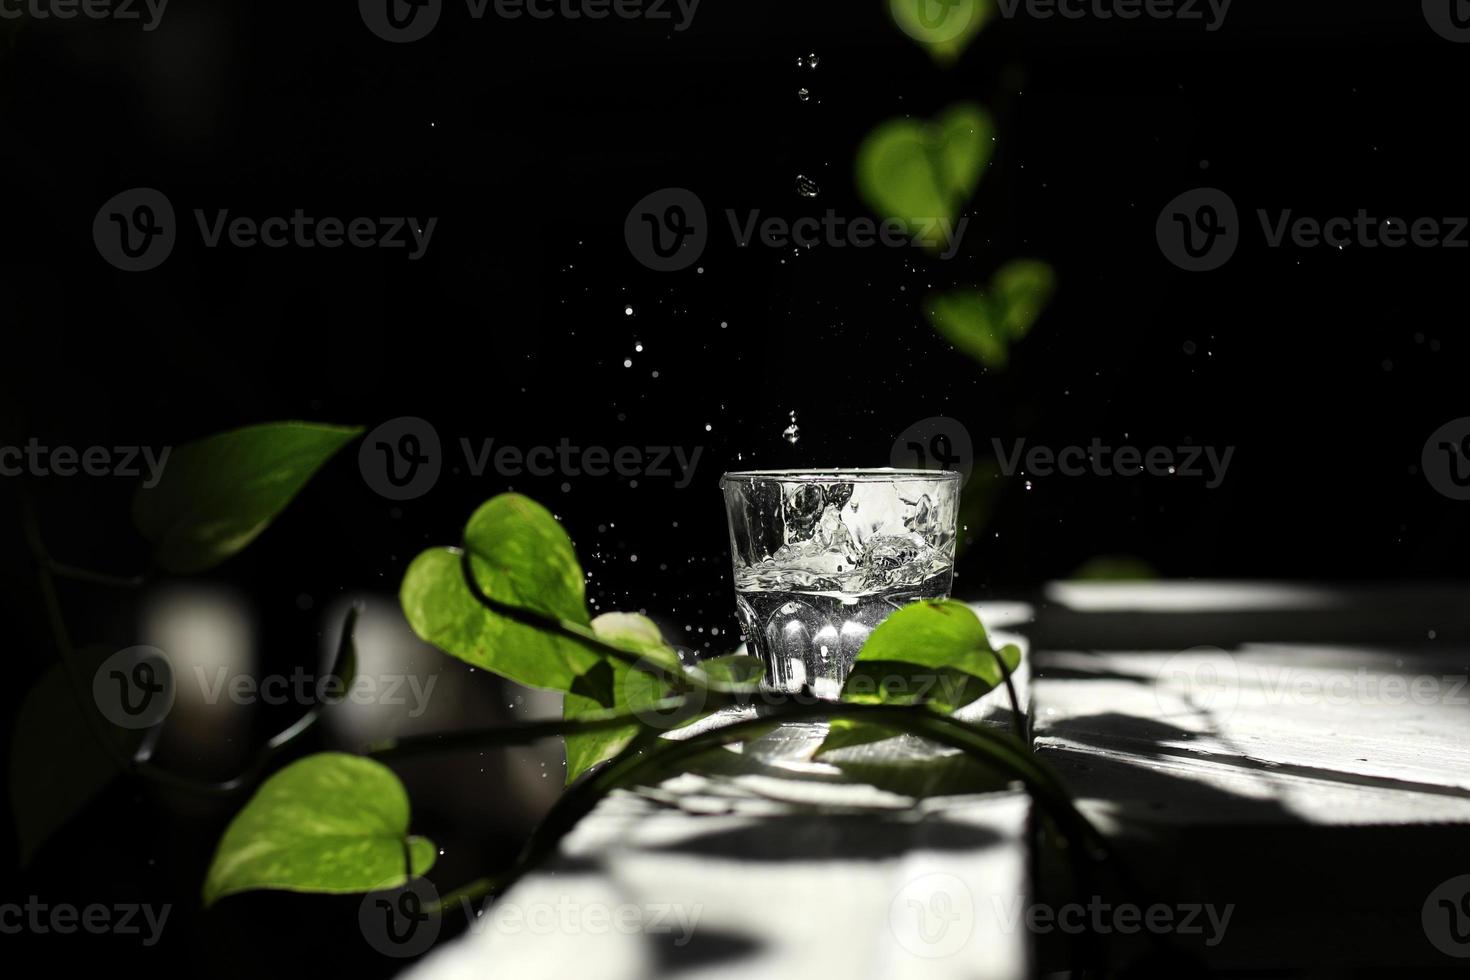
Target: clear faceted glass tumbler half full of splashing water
column 822, row 558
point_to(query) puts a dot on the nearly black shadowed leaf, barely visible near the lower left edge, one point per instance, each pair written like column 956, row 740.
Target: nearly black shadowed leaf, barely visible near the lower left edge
column 57, row 765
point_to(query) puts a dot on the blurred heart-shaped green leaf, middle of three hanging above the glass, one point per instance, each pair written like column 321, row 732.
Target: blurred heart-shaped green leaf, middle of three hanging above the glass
column 922, row 174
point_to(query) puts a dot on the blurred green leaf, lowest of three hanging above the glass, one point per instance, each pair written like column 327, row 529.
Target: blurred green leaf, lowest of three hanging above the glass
column 987, row 324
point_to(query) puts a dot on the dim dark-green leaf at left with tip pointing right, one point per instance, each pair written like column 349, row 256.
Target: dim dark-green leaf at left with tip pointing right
column 218, row 494
